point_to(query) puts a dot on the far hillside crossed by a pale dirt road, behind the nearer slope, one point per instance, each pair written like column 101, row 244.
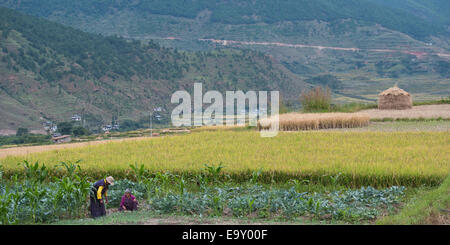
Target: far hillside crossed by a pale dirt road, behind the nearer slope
column 400, row 41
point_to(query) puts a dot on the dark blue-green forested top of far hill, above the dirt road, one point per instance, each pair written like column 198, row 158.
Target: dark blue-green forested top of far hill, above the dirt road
column 417, row 18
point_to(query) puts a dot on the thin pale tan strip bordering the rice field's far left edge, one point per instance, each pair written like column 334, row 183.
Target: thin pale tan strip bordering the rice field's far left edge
column 25, row 150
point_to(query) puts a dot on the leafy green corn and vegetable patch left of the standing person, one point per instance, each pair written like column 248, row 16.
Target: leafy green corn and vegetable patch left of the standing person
column 34, row 201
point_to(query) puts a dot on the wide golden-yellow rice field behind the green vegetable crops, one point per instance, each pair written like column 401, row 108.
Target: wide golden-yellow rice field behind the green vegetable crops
column 362, row 158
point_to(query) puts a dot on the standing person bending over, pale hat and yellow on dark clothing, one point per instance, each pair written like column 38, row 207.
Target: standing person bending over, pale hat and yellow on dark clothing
column 99, row 189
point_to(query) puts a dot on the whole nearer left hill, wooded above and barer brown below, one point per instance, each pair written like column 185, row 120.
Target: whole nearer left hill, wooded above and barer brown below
column 49, row 71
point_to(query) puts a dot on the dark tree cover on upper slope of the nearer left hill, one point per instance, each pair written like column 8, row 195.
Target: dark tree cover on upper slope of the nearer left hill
column 55, row 51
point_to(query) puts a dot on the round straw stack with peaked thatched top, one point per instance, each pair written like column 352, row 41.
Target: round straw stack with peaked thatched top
column 394, row 98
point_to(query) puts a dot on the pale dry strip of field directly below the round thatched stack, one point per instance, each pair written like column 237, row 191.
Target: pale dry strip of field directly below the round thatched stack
column 424, row 111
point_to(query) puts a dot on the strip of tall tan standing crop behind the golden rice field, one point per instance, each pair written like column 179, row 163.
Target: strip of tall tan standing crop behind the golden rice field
column 314, row 121
